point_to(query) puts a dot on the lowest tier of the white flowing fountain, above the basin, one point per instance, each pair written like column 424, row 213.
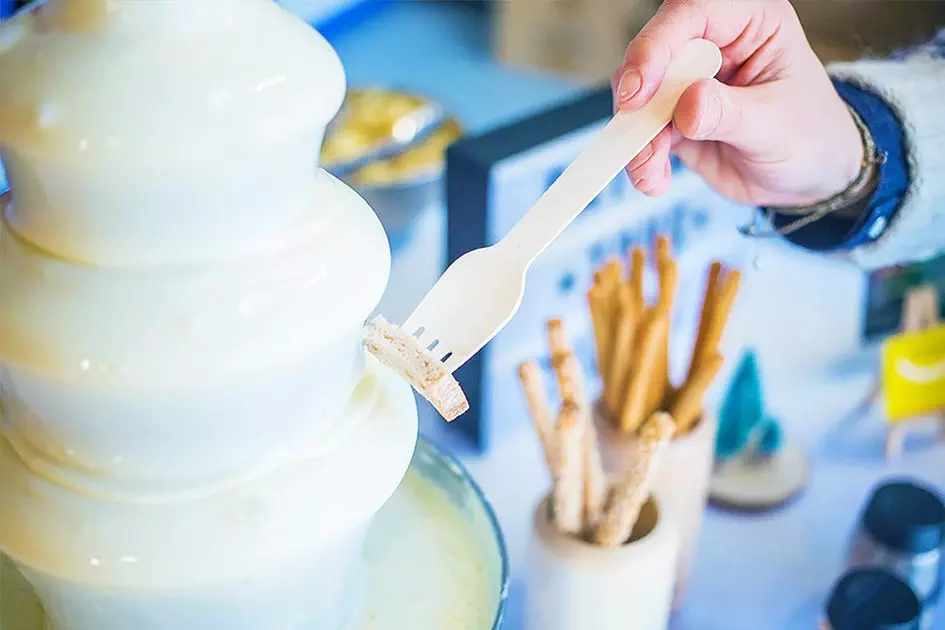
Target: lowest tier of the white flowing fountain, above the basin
column 280, row 550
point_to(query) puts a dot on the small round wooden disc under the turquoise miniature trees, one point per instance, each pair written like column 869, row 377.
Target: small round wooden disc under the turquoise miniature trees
column 746, row 485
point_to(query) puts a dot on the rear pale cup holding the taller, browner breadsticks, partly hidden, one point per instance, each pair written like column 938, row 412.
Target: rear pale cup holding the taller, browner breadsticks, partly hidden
column 681, row 484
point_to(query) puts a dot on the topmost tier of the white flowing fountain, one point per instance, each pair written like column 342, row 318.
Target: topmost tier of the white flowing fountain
column 122, row 122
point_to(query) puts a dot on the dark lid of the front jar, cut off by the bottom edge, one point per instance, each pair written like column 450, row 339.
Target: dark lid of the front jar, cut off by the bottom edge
column 872, row 598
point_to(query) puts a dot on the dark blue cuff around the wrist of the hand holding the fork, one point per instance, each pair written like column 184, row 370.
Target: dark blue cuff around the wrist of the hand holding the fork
column 836, row 233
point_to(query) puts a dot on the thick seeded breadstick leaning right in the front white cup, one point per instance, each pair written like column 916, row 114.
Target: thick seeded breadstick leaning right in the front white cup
column 629, row 496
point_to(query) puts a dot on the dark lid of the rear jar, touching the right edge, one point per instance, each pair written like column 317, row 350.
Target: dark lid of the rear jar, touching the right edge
column 905, row 516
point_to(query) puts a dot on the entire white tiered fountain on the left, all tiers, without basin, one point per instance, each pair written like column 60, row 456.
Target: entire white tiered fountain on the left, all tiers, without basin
column 193, row 439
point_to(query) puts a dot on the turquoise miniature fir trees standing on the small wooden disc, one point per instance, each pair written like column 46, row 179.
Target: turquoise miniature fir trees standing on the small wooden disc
column 743, row 423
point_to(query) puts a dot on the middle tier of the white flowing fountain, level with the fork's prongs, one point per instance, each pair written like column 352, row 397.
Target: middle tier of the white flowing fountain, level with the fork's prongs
column 113, row 371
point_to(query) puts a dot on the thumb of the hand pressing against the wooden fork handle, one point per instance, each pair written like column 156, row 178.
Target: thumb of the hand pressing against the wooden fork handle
column 710, row 110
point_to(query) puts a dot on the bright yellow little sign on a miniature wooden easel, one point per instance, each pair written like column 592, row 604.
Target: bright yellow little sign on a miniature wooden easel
column 913, row 373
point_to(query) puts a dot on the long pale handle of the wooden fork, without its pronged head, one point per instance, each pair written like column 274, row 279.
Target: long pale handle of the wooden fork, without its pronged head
column 608, row 154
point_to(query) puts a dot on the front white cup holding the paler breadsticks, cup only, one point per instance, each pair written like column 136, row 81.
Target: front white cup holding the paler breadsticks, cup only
column 574, row 584
